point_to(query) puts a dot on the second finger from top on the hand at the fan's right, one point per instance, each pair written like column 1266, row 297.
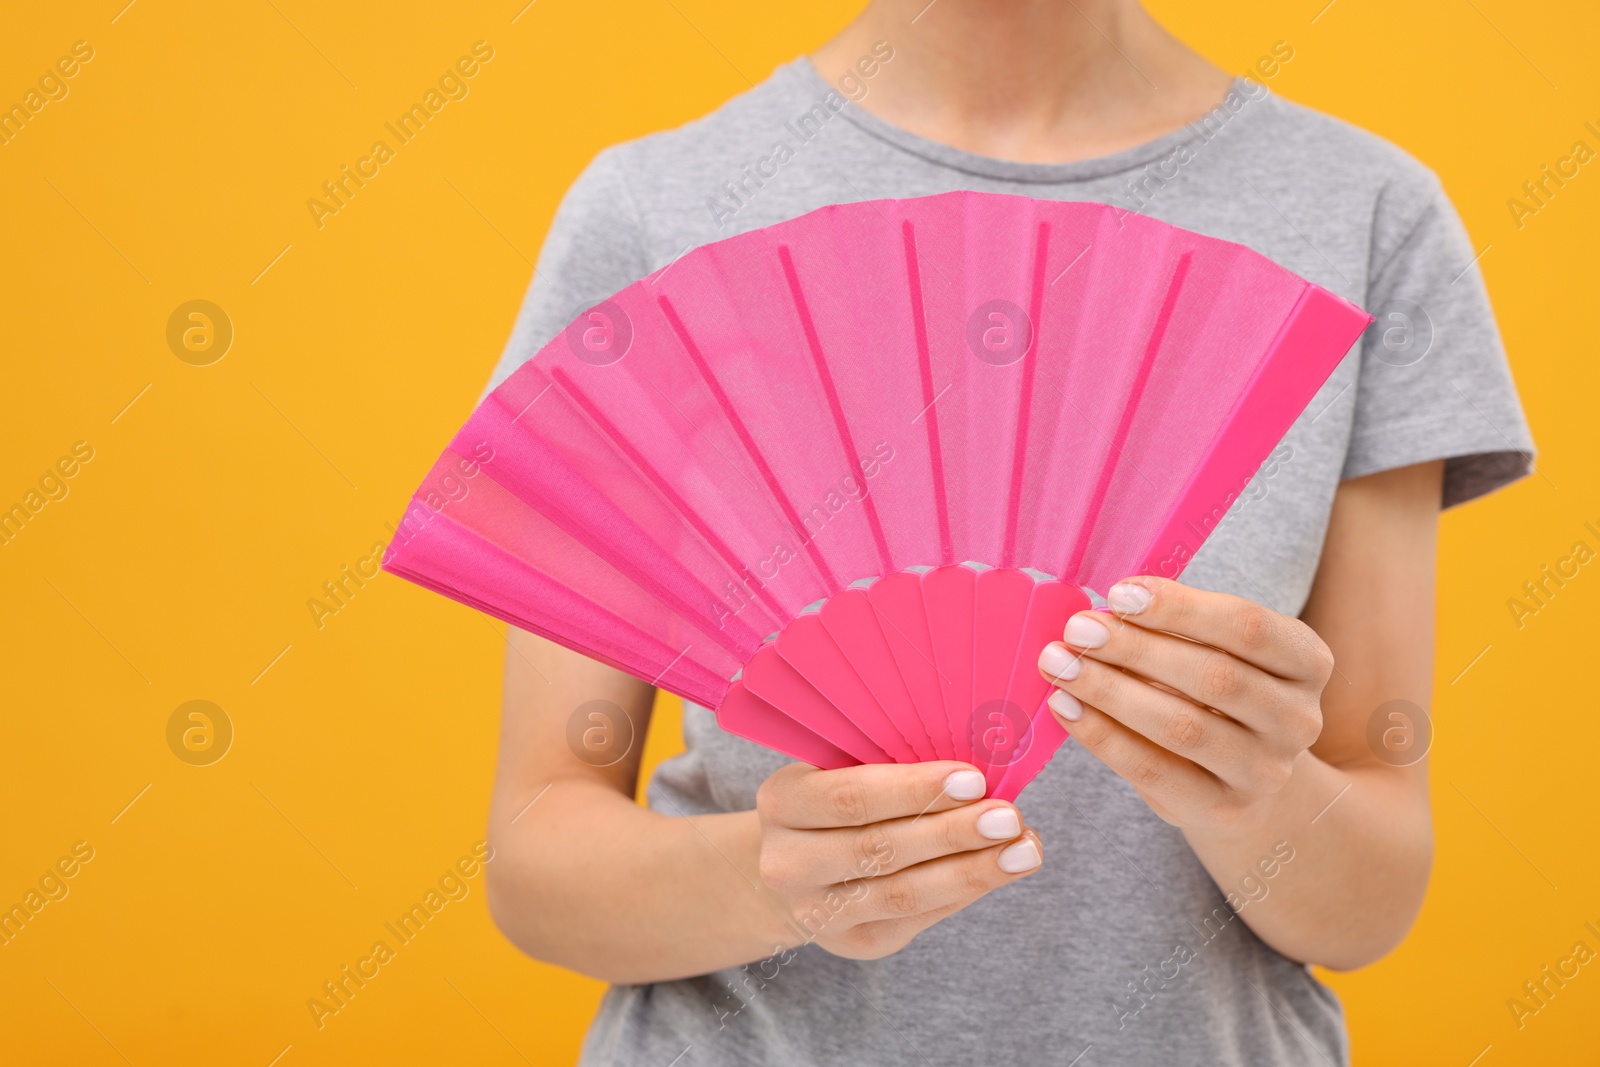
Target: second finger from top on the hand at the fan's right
column 1209, row 676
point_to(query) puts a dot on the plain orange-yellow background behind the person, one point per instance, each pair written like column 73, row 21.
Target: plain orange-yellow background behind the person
column 180, row 564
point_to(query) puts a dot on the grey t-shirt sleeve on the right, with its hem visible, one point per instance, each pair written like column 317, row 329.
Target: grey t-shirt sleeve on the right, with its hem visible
column 1434, row 382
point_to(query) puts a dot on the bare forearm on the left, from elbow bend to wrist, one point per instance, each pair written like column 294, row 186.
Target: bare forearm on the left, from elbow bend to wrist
column 590, row 881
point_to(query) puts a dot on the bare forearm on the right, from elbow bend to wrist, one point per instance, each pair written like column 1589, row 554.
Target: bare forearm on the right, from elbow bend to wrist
column 1334, row 871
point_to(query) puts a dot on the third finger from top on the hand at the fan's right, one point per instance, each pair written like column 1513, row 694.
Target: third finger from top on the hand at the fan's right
column 1170, row 721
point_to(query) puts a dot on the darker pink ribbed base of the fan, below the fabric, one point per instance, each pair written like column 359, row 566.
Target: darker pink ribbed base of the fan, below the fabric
column 921, row 665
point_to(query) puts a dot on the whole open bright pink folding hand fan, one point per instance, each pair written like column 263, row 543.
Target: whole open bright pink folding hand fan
column 844, row 478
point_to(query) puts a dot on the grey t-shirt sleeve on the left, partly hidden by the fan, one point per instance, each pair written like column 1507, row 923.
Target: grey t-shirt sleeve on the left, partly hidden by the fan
column 596, row 246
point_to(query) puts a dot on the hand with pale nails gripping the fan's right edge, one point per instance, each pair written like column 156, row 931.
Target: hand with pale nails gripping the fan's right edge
column 1202, row 701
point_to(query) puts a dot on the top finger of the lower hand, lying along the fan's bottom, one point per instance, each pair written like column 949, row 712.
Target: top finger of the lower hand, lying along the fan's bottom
column 807, row 799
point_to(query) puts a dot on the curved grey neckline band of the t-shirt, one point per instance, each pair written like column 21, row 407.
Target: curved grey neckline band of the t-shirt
column 815, row 86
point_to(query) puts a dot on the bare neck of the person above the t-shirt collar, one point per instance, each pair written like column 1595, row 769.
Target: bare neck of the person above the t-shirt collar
column 1038, row 81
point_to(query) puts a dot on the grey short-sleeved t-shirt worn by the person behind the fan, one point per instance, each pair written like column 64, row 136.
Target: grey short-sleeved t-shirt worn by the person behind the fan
column 1121, row 949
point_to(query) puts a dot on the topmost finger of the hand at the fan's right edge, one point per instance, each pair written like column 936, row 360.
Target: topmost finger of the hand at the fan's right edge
column 1273, row 642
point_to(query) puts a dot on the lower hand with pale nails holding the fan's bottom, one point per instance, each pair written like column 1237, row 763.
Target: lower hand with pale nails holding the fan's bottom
column 870, row 857
